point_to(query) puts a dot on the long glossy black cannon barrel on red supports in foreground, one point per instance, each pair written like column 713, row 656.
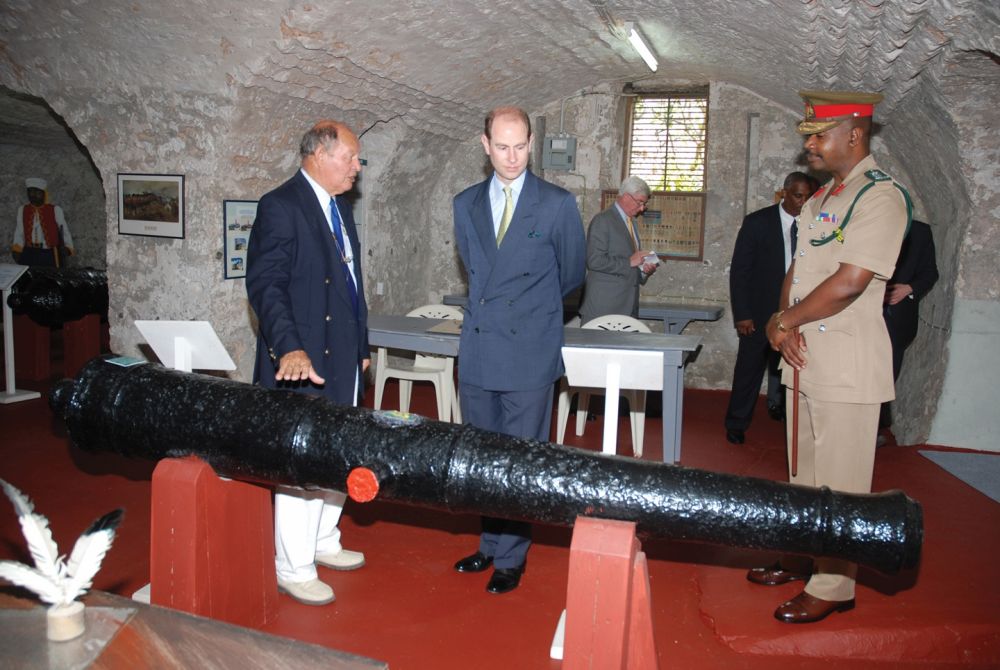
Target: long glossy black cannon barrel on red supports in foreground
column 280, row 437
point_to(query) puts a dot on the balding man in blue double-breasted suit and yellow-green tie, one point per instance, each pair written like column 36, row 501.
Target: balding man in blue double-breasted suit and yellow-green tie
column 521, row 241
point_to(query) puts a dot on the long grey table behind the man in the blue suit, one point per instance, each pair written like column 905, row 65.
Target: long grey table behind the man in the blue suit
column 411, row 334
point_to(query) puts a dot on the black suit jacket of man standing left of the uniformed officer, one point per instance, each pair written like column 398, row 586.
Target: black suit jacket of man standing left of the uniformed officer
column 758, row 267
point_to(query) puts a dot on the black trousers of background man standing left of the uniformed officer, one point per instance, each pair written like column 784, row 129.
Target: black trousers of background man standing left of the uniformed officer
column 753, row 358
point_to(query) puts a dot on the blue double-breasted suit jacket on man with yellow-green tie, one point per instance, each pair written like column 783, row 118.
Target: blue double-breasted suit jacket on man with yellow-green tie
column 512, row 333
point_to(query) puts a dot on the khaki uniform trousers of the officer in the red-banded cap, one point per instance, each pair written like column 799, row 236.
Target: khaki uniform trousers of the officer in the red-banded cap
column 836, row 449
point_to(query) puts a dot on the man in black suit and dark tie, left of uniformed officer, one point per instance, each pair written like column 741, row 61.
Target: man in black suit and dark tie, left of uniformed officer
column 761, row 257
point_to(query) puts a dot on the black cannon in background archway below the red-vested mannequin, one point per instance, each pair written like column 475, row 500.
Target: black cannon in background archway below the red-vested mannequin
column 51, row 297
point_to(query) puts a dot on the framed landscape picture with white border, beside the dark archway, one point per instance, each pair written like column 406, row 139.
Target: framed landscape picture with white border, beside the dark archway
column 151, row 205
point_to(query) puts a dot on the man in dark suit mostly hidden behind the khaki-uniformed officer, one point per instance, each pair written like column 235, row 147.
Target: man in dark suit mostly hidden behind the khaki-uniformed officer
column 916, row 272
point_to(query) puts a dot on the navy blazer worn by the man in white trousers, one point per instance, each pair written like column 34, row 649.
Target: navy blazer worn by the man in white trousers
column 296, row 285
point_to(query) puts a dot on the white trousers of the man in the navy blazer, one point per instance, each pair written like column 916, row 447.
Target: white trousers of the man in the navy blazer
column 305, row 523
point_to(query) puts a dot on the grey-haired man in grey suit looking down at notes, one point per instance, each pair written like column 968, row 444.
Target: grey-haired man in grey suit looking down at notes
column 616, row 264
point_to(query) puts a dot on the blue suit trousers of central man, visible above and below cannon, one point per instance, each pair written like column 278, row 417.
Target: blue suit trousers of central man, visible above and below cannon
column 520, row 414
